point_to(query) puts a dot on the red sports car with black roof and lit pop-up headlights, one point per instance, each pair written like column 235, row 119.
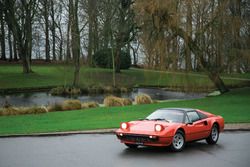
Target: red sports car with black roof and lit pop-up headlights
column 171, row 127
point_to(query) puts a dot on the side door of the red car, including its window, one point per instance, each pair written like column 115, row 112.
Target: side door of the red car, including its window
column 196, row 128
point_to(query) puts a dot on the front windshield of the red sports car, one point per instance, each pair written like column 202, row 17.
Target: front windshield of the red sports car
column 167, row 115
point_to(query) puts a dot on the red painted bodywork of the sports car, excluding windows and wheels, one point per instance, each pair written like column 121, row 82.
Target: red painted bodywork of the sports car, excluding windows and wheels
column 145, row 131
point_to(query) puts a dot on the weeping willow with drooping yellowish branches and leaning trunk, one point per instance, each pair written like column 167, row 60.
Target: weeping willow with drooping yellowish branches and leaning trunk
column 198, row 29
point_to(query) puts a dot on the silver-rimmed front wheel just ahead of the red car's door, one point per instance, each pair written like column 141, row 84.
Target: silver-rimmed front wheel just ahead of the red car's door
column 178, row 142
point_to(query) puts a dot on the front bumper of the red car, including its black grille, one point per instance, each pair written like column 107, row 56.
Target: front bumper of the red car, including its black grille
column 144, row 139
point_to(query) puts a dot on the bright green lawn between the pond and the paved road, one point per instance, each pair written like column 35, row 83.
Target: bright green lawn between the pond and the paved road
column 233, row 106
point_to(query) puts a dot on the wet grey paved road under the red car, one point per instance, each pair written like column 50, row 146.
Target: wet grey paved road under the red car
column 232, row 150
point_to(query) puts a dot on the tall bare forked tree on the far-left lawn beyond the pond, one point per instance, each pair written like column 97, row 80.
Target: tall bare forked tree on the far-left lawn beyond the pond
column 21, row 27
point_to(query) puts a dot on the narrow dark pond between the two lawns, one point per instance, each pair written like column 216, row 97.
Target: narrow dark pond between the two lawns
column 44, row 98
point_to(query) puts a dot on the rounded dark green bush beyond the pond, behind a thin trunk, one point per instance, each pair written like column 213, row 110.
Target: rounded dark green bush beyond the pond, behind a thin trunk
column 103, row 58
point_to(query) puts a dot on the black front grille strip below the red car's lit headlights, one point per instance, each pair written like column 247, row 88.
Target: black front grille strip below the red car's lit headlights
column 137, row 138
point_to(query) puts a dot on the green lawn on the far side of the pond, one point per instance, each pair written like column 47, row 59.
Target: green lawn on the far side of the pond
column 11, row 76
